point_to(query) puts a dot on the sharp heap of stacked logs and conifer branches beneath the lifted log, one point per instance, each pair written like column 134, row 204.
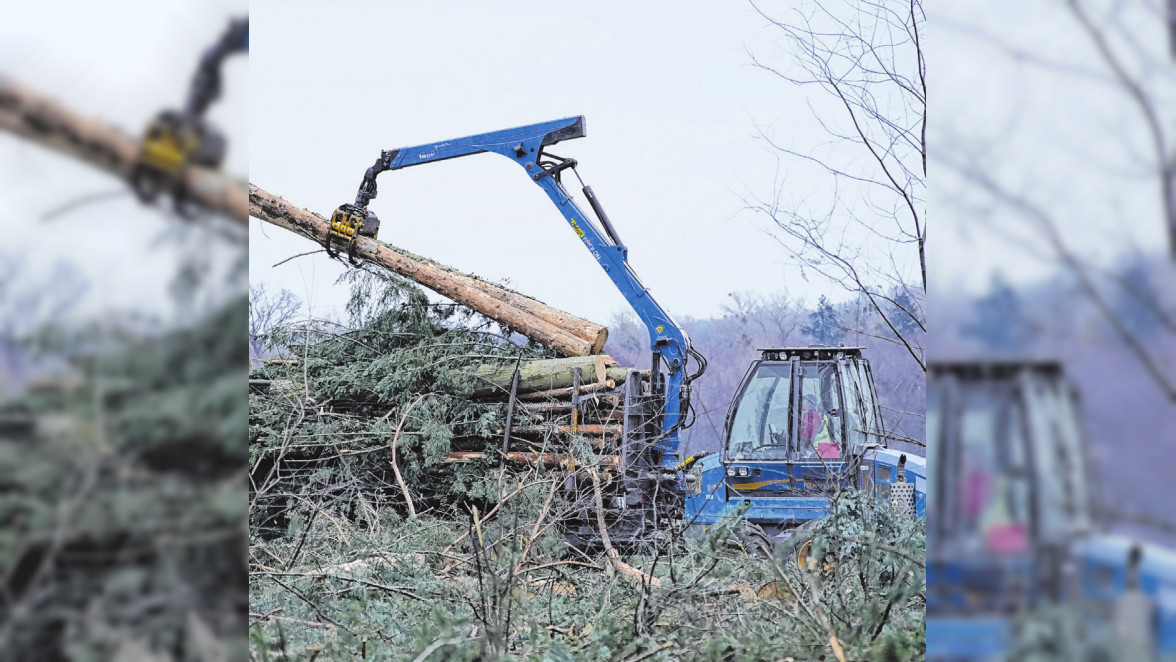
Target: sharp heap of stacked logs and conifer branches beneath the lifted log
column 413, row 405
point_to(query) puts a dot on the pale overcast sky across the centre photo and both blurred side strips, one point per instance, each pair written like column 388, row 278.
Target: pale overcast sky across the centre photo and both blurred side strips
column 672, row 104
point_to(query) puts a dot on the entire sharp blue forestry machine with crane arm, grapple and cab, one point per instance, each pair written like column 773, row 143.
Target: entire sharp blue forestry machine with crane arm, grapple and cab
column 806, row 420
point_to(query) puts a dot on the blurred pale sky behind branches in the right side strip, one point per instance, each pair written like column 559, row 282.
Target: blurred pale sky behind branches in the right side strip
column 1051, row 125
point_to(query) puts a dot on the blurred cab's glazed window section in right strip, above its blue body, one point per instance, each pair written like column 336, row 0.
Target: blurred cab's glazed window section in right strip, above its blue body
column 1008, row 444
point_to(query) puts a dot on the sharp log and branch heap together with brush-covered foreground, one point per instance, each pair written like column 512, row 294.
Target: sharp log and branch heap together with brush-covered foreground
column 387, row 524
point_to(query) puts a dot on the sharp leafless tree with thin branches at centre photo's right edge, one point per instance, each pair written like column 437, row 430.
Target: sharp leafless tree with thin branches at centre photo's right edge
column 866, row 66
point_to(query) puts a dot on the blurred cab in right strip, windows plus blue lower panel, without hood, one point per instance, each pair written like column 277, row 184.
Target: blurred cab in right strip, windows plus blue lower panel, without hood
column 1011, row 483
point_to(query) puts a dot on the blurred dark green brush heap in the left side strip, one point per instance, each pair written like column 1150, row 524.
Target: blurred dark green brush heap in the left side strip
column 122, row 505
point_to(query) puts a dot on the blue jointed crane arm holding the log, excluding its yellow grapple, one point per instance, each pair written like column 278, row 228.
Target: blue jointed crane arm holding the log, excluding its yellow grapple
column 525, row 146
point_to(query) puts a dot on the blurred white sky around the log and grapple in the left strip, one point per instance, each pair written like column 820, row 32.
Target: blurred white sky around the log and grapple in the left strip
column 122, row 66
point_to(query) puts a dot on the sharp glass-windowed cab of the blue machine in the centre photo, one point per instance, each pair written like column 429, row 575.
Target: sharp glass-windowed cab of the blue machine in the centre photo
column 801, row 406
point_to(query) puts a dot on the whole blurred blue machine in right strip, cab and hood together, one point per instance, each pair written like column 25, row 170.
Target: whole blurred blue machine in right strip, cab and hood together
column 1015, row 525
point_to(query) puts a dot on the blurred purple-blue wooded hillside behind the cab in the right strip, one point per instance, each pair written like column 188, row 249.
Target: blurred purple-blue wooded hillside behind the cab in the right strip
column 1128, row 416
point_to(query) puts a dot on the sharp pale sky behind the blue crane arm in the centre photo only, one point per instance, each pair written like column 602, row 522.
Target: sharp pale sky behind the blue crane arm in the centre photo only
column 672, row 105
